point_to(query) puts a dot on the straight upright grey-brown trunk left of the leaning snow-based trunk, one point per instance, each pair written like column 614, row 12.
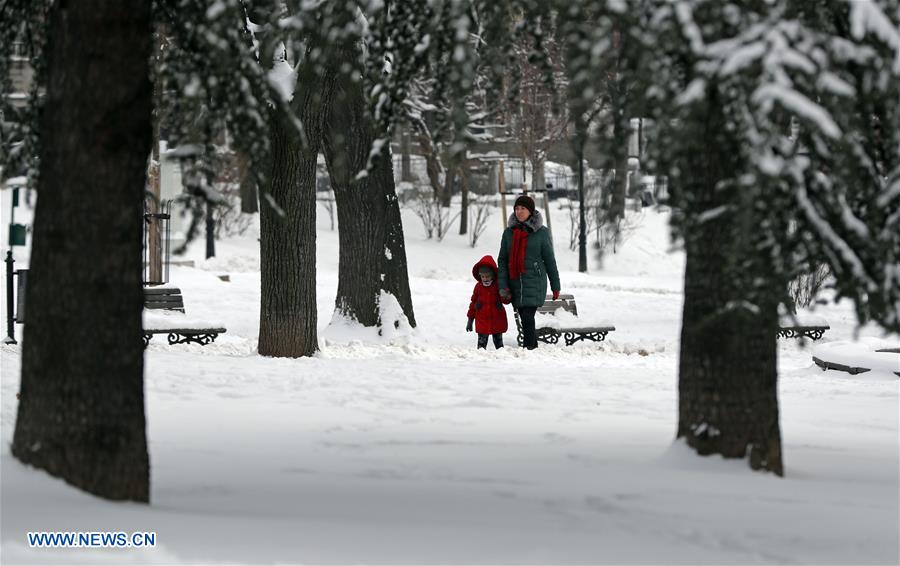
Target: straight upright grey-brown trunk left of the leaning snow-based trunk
column 288, row 316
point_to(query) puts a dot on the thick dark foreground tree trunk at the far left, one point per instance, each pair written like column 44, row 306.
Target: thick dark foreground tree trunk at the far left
column 81, row 413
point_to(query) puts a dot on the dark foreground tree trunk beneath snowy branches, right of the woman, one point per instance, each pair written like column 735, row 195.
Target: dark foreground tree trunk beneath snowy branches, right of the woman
column 728, row 400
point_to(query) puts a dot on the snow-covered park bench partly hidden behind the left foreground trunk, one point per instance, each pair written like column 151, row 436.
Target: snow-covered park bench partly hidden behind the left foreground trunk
column 178, row 329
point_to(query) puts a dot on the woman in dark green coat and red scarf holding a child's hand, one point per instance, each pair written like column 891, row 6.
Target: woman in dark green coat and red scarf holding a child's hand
column 525, row 261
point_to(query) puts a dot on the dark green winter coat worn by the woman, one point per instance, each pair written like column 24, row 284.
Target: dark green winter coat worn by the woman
column 530, row 289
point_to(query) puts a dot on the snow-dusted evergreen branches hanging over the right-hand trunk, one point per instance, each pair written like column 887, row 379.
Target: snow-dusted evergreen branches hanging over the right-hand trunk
column 811, row 96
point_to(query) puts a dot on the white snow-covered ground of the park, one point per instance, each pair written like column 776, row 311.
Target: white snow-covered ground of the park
column 419, row 449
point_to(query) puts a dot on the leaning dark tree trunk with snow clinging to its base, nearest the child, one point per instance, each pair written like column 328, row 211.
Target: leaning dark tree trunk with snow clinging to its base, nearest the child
column 372, row 261
